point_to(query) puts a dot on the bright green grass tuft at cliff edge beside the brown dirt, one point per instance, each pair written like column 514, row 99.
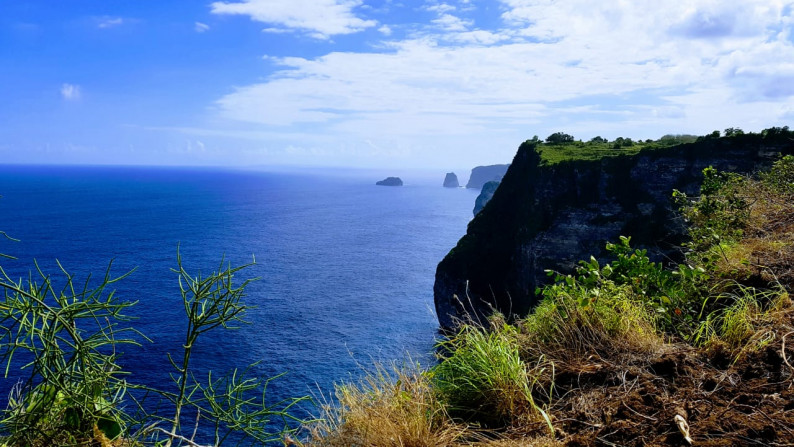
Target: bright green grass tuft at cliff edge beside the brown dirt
column 484, row 378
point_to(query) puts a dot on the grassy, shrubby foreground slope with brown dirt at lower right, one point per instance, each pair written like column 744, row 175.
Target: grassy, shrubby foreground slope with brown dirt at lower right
column 627, row 352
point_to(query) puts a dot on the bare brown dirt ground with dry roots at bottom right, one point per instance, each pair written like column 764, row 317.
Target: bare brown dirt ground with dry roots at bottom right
column 749, row 402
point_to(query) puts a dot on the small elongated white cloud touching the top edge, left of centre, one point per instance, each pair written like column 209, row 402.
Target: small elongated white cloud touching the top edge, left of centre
column 320, row 18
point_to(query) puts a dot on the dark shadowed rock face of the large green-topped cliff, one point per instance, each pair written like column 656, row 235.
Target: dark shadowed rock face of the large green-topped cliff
column 551, row 216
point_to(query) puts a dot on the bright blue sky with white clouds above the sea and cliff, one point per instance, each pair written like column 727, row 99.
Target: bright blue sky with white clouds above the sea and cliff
column 378, row 83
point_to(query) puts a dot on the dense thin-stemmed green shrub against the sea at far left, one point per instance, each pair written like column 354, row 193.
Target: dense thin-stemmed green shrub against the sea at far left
column 66, row 340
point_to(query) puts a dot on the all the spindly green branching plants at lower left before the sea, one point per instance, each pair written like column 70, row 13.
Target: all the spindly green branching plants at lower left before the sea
column 75, row 388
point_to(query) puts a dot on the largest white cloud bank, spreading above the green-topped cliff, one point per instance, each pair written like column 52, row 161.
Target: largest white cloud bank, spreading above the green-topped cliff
column 611, row 68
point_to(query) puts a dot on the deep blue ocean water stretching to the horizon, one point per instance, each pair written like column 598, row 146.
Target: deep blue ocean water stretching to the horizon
column 346, row 267
